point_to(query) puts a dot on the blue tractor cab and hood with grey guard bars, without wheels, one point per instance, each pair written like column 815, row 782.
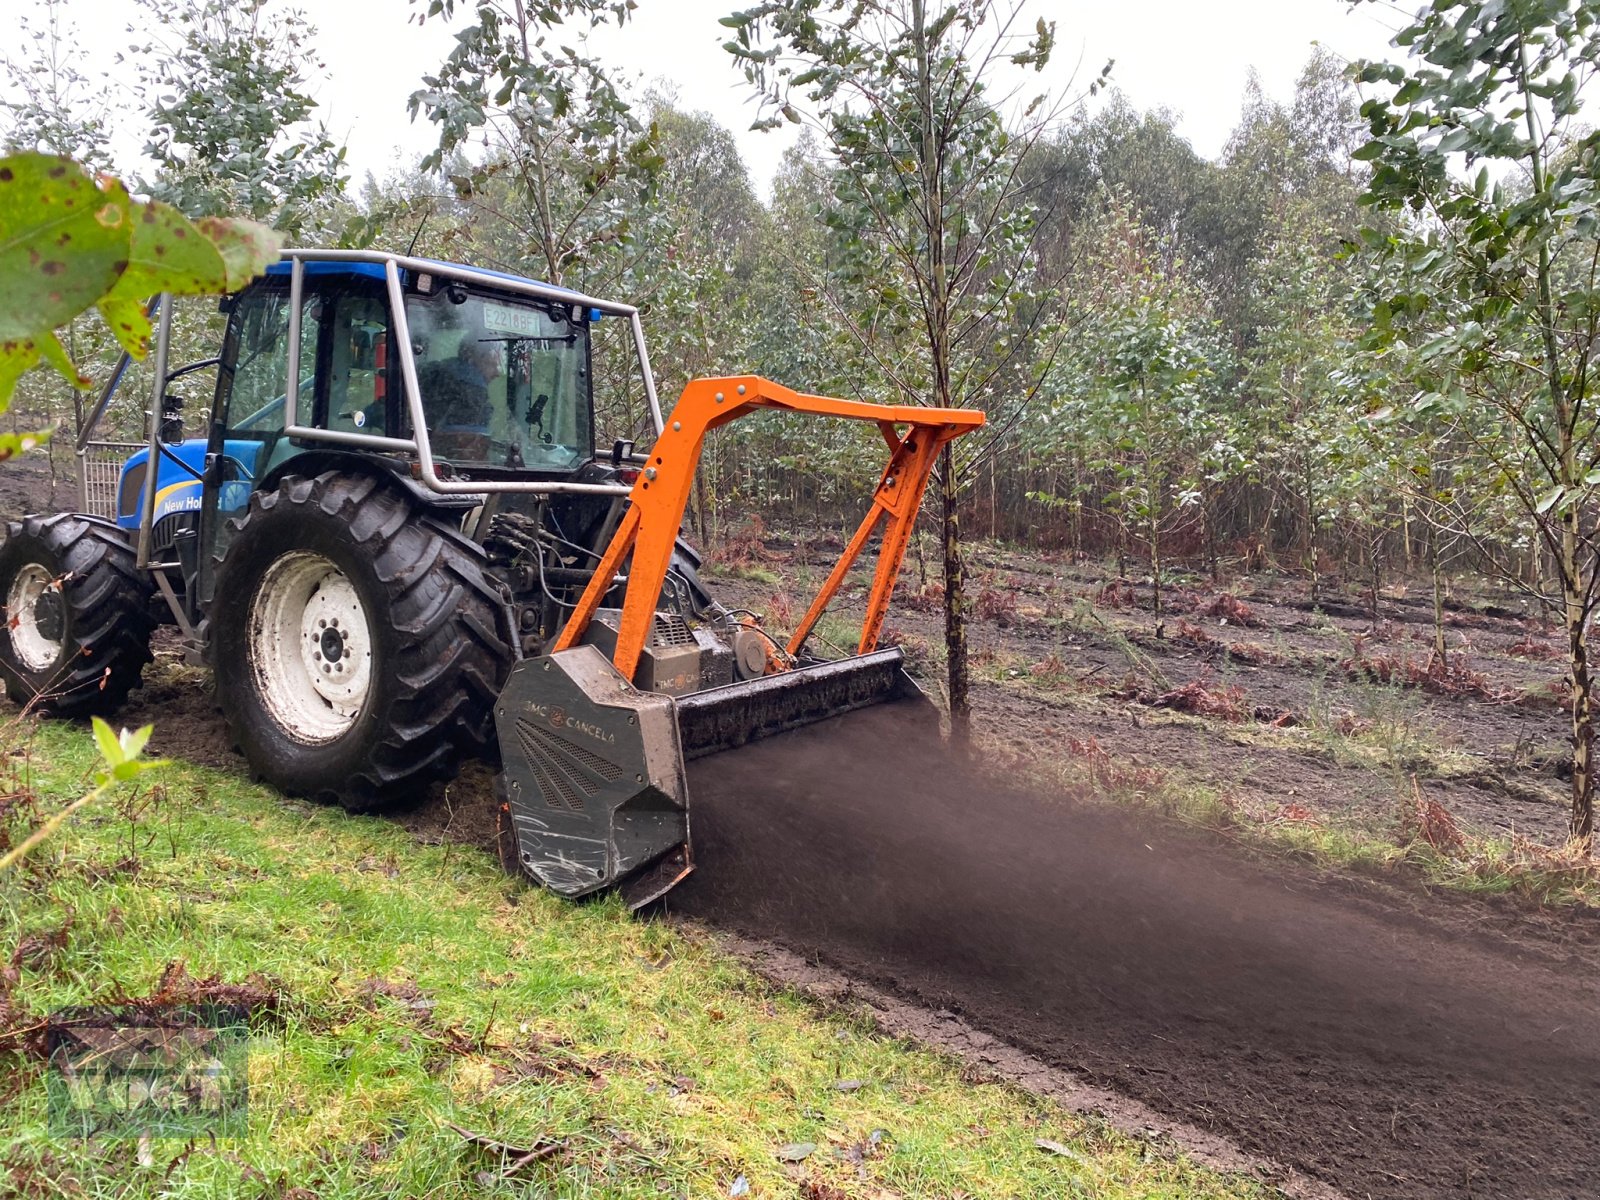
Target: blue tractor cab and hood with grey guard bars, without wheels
column 471, row 388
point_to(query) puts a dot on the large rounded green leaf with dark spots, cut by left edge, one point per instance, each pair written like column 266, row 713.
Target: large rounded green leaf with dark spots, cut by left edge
column 63, row 242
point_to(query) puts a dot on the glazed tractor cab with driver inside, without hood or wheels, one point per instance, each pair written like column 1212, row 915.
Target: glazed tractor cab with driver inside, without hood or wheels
column 503, row 377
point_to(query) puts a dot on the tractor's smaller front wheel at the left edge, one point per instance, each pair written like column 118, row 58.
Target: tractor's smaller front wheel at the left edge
column 78, row 615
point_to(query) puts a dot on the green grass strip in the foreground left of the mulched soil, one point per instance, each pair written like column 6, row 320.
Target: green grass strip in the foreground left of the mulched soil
column 420, row 986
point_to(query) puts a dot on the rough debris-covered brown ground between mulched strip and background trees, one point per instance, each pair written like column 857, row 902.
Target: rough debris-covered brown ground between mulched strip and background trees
column 1054, row 660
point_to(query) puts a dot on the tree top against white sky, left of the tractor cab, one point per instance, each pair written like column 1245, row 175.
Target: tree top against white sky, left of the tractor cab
column 231, row 122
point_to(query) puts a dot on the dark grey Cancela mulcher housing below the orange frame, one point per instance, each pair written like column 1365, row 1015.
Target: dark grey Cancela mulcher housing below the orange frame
column 594, row 769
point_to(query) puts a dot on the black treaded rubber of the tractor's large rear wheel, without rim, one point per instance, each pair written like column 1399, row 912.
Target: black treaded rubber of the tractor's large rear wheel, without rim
column 441, row 628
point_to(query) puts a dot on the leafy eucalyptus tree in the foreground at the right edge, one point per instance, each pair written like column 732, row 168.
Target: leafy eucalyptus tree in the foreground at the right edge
column 1502, row 281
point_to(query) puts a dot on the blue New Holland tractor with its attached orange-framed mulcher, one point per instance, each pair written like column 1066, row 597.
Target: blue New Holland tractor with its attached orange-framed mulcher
column 399, row 546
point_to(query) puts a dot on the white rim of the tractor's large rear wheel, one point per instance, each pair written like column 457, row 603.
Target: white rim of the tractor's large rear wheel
column 311, row 649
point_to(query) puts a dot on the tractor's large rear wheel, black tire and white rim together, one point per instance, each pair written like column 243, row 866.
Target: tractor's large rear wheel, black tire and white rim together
column 358, row 644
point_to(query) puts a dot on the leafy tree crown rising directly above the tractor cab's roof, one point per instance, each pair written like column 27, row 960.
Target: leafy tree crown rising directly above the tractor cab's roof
column 545, row 142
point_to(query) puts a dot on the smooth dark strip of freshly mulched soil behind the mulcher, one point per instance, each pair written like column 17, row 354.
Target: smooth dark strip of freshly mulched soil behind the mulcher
column 1388, row 1050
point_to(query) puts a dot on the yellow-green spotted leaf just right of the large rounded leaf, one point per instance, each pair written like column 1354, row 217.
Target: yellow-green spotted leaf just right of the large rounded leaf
column 167, row 254
